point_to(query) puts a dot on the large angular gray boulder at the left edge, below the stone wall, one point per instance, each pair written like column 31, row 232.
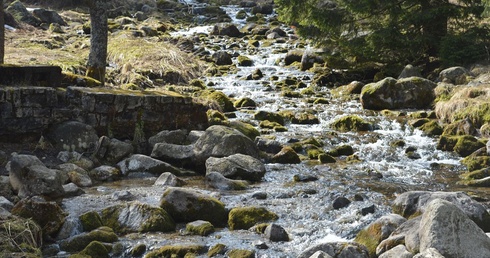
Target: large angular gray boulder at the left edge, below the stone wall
column 30, row 177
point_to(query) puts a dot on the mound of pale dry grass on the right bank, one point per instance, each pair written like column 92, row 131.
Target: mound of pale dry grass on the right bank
column 470, row 102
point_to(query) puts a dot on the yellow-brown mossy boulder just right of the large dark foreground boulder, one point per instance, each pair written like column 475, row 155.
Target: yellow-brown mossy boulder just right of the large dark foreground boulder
column 246, row 217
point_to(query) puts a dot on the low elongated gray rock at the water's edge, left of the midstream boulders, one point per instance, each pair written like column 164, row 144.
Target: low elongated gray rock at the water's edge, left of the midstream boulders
column 142, row 163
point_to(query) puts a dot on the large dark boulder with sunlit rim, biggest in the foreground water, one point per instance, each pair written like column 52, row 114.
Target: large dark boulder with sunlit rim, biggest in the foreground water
column 186, row 205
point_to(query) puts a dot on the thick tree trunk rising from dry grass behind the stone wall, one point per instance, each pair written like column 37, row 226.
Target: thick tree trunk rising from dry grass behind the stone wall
column 97, row 58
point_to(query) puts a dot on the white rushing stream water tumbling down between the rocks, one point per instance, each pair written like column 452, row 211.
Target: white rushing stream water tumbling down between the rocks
column 305, row 208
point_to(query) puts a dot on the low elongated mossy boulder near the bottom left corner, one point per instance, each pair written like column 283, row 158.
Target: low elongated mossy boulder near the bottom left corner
column 79, row 242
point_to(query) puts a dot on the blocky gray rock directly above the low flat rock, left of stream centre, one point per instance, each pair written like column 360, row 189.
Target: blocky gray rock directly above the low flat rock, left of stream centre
column 179, row 155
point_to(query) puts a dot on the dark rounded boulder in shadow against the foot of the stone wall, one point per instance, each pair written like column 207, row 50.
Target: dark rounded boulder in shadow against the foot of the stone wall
column 73, row 136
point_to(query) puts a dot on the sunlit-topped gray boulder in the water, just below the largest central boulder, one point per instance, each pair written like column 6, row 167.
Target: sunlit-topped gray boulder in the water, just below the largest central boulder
column 237, row 166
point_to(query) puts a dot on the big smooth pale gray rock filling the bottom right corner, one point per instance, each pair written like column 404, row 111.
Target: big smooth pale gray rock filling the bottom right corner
column 445, row 227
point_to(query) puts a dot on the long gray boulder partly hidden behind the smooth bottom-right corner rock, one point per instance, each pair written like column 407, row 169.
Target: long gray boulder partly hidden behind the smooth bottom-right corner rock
column 411, row 203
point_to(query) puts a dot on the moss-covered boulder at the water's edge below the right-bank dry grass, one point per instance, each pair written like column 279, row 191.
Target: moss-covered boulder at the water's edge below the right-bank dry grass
column 463, row 145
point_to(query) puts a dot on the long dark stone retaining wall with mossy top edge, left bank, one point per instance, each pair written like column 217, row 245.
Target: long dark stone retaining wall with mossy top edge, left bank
column 27, row 112
